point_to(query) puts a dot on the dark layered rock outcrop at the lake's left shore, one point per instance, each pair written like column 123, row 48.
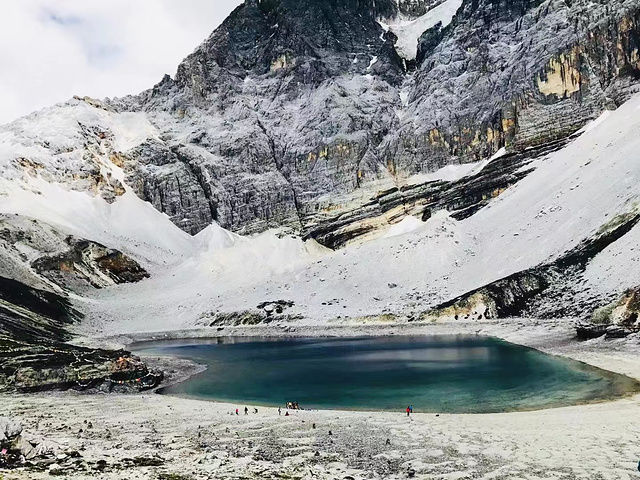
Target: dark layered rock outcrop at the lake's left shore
column 33, row 353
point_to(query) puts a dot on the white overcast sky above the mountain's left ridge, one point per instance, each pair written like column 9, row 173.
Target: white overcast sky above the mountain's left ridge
column 51, row 50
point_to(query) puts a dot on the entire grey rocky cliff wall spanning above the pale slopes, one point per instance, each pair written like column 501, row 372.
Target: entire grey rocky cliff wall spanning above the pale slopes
column 294, row 111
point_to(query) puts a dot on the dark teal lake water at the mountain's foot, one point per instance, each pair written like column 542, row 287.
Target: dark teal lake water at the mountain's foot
column 454, row 374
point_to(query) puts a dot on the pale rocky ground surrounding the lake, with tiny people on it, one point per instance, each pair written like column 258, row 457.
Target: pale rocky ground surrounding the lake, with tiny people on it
column 158, row 437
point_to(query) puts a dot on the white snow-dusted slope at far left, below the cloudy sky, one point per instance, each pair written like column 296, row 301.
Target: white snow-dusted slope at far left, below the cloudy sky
column 64, row 171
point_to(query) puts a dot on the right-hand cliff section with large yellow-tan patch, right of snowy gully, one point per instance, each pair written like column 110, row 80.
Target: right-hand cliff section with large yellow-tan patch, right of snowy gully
column 518, row 73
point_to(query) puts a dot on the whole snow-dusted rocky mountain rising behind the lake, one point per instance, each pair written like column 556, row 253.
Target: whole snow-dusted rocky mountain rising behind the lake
column 421, row 159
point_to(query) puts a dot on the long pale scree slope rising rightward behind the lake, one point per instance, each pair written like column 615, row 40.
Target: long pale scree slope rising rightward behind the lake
column 570, row 196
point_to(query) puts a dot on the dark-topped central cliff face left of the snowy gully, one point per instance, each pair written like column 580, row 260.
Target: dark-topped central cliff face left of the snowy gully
column 281, row 104
